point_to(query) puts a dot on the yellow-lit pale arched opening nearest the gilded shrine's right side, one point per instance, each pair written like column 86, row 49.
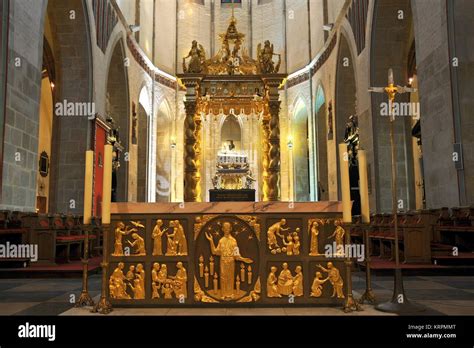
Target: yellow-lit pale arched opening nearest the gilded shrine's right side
column 300, row 153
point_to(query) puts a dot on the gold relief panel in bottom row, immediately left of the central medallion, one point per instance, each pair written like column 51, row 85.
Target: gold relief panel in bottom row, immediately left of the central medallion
column 169, row 281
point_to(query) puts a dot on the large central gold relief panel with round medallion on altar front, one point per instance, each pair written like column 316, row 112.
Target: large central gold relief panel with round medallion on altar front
column 227, row 259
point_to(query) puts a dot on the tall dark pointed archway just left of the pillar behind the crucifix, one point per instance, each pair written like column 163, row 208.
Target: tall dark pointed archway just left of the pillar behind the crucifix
column 346, row 115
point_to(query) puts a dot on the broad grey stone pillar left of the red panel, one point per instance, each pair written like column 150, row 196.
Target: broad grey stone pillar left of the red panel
column 71, row 46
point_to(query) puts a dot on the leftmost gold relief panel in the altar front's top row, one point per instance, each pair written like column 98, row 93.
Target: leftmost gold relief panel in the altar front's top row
column 129, row 239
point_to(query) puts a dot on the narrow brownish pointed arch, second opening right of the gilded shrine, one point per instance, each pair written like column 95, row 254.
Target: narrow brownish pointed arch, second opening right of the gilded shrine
column 322, row 145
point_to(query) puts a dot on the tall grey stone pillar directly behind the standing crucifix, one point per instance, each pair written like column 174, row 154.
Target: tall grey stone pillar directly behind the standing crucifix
column 390, row 34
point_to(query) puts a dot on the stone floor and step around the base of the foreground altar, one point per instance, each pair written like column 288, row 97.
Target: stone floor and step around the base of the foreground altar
column 440, row 295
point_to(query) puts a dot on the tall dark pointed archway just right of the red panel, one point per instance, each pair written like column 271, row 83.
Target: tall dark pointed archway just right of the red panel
column 117, row 95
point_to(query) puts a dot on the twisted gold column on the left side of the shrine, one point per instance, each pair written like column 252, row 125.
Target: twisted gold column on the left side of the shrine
column 192, row 126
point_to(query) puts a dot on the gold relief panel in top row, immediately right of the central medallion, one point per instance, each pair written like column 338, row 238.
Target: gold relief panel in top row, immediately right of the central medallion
column 284, row 236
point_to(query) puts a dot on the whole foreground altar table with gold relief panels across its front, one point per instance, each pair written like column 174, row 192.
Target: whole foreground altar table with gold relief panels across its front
column 234, row 254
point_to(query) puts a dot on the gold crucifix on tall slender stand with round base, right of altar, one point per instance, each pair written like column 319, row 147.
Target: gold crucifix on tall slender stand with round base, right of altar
column 399, row 303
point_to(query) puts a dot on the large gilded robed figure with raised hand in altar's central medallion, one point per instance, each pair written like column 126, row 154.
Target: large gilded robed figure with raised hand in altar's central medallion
column 228, row 251
